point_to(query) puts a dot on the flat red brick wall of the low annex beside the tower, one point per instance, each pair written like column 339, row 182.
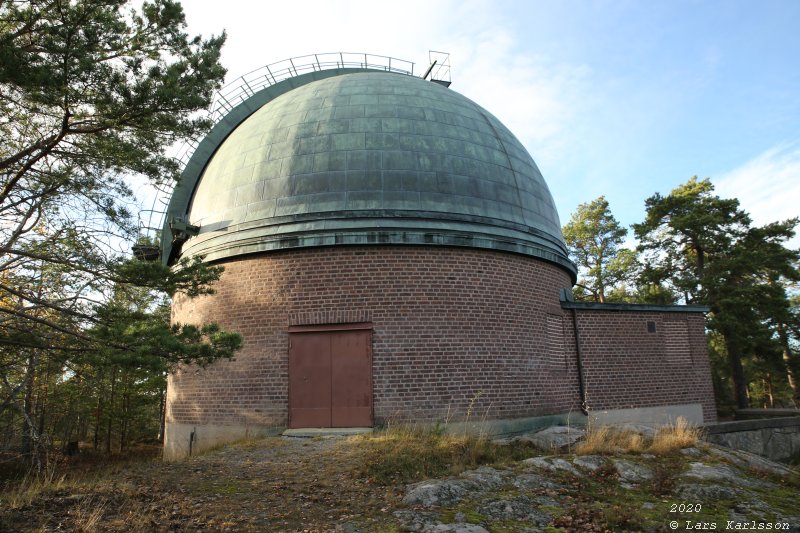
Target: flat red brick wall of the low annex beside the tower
column 626, row 367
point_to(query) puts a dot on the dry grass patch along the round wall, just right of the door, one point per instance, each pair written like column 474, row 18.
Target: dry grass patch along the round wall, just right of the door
column 404, row 454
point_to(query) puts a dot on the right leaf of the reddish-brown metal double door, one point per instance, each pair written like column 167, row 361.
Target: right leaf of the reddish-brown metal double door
column 351, row 376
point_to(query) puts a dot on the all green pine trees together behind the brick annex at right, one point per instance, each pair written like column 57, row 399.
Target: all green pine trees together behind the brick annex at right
column 697, row 248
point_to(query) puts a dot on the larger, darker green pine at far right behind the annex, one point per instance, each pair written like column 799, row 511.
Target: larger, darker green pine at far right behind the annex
column 705, row 249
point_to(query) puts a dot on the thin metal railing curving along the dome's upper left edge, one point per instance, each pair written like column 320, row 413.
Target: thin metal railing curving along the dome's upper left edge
column 240, row 89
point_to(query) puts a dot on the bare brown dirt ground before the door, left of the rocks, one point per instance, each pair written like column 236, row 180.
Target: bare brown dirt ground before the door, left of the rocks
column 276, row 484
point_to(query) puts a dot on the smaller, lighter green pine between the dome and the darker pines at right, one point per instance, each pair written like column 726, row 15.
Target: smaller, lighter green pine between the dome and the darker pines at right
column 594, row 239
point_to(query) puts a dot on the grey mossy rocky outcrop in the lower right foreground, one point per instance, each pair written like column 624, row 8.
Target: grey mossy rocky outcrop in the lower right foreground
column 702, row 484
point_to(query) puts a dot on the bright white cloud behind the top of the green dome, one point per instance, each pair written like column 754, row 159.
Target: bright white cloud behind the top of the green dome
column 536, row 98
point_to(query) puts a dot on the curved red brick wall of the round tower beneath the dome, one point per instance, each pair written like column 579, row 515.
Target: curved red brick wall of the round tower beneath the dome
column 453, row 328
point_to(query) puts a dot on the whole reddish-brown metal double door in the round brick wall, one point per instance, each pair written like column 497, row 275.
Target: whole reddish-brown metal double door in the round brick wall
column 330, row 378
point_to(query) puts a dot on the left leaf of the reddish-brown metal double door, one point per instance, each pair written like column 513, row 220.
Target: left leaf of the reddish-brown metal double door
column 309, row 380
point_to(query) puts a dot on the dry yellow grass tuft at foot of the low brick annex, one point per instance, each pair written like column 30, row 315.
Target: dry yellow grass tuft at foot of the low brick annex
column 606, row 440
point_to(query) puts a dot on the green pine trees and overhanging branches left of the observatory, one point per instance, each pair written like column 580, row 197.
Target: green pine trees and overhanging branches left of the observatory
column 92, row 94
